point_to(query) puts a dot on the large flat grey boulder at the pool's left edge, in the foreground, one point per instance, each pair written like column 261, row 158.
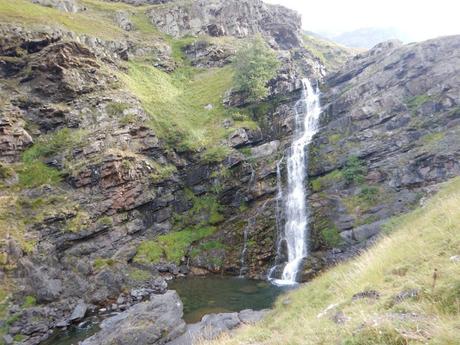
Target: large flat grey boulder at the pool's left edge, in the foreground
column 157, row 321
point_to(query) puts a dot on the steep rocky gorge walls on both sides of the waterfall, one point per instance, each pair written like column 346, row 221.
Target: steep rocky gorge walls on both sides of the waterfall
column 99, row 200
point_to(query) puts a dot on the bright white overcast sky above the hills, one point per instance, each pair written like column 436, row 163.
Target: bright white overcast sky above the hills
column 418, row 19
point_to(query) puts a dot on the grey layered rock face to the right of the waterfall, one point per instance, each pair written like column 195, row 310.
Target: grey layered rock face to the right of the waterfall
column 396, row 109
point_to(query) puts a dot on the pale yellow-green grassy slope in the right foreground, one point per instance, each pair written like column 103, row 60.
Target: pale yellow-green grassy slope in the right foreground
column 405, row 258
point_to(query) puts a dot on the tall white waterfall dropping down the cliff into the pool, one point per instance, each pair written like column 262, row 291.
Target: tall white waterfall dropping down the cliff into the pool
column 295, row 211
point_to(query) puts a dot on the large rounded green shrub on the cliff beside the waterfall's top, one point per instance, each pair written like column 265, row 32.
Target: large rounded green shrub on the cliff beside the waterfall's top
column 255, row 65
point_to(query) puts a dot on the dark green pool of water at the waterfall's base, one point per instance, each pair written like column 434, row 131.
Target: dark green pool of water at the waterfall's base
column 217, row 294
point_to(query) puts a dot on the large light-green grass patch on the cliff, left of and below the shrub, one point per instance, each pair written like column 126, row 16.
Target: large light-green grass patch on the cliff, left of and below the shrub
column 176, row 103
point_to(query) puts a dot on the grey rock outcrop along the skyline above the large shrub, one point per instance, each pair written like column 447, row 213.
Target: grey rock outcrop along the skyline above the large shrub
column 229, row 18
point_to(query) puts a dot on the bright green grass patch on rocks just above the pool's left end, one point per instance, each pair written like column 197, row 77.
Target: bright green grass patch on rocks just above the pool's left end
column 171, row 247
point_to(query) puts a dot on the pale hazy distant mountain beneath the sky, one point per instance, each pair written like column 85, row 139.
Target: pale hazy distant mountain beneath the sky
column 368, row 37
